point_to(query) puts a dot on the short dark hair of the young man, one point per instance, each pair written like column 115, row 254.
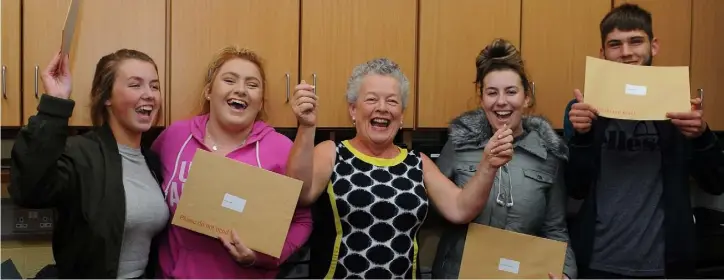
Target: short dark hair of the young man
column 626, row 17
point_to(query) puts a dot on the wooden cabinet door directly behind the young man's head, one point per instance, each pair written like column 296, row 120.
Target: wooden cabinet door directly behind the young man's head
column 672, row 27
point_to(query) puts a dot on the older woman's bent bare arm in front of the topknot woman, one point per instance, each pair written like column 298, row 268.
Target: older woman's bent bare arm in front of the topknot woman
column 460, row 206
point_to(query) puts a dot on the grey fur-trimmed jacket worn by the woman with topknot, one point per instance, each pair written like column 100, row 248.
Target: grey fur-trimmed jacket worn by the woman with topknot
column 535, row 202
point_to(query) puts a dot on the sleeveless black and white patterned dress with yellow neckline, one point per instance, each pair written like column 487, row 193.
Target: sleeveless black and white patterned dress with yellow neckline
column 367, row 220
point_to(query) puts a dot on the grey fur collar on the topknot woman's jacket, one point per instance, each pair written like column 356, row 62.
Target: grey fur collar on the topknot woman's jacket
column 471, row 130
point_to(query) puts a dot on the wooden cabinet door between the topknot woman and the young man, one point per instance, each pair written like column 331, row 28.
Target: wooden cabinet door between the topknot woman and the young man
column 557, row 36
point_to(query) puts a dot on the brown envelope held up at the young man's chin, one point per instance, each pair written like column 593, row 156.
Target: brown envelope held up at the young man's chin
column 632, row 92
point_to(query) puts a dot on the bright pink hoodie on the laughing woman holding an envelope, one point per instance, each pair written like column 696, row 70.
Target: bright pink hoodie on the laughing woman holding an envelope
column 187, row 254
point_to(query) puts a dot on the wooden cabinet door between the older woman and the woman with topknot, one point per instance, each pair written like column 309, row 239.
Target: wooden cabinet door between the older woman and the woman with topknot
column 452, row 34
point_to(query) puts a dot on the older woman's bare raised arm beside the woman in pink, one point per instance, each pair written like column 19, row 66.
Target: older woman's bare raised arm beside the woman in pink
column 312, row 165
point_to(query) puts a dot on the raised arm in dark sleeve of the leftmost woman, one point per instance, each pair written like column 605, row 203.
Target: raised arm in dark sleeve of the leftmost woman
column 41, row 173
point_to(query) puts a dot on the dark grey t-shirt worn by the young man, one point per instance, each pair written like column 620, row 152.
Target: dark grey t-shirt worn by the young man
column 629, row 237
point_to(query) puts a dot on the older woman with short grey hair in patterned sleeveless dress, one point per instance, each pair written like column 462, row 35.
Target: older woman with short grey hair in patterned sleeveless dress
column 371, row 195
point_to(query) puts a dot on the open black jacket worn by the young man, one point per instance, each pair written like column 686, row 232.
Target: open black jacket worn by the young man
column 701, row 158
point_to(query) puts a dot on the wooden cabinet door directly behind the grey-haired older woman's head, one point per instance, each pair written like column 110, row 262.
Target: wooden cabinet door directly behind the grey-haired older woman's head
column 337, row 35
